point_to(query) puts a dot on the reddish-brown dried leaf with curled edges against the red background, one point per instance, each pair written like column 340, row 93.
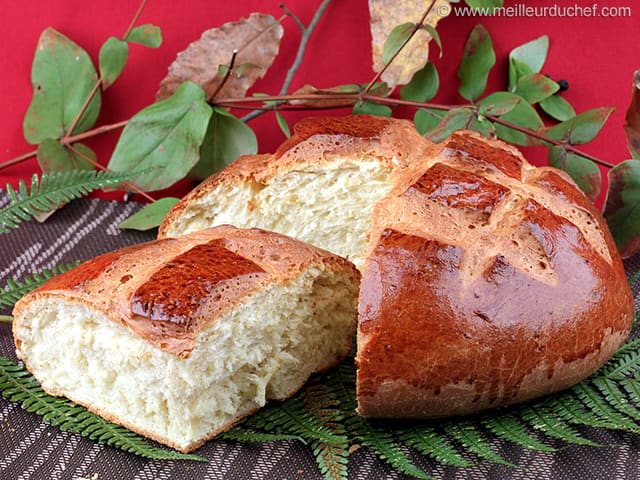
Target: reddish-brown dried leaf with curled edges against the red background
column 257, row 40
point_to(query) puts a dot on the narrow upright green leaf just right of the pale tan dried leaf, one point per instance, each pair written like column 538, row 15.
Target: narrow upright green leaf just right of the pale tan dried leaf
column 477, row 60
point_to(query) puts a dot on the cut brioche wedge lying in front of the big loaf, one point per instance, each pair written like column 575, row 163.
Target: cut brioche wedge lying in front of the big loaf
column 179, row 339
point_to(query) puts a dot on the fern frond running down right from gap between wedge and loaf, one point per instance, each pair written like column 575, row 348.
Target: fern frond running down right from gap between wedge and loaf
column 375, row 437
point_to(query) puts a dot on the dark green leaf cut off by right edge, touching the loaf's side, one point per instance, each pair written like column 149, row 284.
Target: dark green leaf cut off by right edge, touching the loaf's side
column 622, row 207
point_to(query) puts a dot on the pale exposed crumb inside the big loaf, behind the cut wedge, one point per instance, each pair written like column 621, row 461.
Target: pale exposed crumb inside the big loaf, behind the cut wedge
column 329, row 206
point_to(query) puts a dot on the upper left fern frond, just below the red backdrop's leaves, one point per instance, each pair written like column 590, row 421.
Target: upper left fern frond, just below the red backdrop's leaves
column 53, row 189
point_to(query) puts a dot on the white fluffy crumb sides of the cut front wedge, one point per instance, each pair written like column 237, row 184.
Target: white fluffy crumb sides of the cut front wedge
column 264, row 349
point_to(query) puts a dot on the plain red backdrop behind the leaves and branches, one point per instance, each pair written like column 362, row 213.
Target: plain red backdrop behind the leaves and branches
column 596, row 55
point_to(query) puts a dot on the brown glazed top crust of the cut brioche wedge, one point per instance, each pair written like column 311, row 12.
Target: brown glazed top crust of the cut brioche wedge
column 169, row 290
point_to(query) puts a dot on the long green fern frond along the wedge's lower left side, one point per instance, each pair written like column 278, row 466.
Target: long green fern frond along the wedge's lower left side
column 18, row 385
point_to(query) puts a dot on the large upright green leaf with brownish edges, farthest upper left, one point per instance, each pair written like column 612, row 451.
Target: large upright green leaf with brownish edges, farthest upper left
column 62, row 76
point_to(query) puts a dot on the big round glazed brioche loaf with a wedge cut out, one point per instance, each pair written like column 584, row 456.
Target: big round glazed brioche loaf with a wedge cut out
column 486, row 281
